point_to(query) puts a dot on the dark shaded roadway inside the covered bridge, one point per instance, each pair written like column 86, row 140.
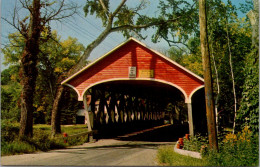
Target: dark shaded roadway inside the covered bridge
column 149, row 132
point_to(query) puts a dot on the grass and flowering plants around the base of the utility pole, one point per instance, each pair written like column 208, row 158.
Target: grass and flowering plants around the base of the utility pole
column 241, row 149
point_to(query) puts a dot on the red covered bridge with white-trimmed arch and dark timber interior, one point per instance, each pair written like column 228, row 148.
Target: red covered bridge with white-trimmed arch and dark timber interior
column 134, row 83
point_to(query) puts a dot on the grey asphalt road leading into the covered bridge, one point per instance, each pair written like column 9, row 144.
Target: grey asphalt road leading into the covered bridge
column 133, row 149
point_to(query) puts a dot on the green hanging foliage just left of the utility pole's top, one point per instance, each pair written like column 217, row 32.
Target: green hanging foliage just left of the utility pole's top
column 186, row 23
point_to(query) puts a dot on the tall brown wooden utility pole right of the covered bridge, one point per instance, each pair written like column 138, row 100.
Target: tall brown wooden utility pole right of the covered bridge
column 211, row 122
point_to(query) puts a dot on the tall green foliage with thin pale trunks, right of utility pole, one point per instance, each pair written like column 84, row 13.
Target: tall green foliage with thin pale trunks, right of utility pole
column 222, row 17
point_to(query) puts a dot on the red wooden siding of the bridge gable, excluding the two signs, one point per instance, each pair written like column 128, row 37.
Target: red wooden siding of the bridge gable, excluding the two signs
column 116, row 66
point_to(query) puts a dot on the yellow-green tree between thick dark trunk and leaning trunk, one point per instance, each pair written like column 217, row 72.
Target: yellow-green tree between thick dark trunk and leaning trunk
column 57, row 57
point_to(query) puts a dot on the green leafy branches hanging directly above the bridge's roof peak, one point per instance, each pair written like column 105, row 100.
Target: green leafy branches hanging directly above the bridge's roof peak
column 123, row 19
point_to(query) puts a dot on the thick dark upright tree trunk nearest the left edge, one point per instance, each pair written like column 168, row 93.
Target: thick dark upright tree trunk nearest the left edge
column 28, row 71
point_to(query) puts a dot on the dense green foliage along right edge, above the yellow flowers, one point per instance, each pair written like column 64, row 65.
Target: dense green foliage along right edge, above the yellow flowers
column 248, row 113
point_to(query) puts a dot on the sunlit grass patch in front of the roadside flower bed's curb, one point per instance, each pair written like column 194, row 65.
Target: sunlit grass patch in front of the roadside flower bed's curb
column 167, row 157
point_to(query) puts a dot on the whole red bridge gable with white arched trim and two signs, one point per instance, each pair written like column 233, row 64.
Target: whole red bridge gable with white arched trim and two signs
column 132, row 60
